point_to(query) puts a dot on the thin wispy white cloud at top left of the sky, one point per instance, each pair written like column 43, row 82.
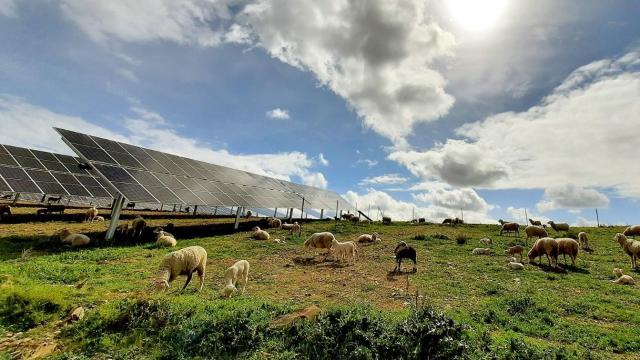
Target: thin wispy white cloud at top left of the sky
column 187, row 22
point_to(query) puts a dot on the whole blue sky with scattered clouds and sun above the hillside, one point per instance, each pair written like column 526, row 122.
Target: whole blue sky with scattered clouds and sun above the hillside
column 398, row 105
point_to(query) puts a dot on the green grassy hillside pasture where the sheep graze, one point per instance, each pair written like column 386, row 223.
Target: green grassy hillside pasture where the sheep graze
column 535, row 313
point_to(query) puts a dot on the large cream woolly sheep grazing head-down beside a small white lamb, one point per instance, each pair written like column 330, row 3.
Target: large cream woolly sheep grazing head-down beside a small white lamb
column 182, row 262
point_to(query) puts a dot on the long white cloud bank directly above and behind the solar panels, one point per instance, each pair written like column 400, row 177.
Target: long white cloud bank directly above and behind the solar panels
column 30, row 126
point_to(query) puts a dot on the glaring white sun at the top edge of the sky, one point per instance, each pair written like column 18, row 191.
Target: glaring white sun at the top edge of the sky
column 476, row 15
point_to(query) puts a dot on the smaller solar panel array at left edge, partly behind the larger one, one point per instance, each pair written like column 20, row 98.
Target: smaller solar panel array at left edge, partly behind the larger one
column 37, row 172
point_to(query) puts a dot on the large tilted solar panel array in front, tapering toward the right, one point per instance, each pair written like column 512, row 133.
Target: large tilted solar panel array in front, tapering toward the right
column 144, row 175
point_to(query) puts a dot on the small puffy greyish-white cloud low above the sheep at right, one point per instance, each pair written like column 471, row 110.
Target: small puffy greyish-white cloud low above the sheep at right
column 571, row 197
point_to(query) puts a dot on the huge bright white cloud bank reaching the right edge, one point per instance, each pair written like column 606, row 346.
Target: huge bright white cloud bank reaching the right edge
column 583, row 133
